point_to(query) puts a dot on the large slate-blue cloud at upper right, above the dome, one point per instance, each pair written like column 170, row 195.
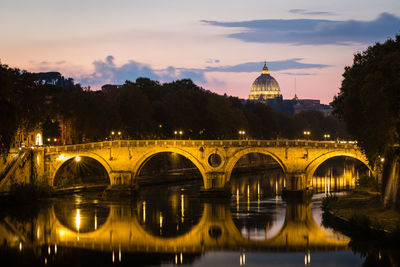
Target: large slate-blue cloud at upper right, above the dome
column 314, row 32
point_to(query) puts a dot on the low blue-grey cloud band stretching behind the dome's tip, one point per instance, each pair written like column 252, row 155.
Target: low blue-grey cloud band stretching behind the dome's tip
column 107, row 72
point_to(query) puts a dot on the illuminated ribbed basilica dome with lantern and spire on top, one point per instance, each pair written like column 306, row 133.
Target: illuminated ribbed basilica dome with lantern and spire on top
column 265, row 87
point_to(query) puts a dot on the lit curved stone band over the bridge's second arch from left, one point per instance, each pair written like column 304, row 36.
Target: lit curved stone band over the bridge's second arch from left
column 145, row 158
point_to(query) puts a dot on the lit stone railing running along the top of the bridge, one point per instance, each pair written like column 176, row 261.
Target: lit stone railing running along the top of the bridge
column 203, row 143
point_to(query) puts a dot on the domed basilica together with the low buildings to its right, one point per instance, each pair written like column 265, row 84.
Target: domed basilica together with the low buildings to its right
column 266, row 89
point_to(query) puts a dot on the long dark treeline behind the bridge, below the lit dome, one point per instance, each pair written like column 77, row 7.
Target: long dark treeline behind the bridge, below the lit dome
column 145, row 109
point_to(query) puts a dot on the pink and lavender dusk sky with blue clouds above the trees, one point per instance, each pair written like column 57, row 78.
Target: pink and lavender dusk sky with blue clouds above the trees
column 220, row 45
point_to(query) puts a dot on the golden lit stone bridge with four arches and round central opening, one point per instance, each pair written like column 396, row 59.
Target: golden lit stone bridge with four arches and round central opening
column 215, row 159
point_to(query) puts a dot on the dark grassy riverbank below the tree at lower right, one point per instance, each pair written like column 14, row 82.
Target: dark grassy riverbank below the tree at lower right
column 362, row 209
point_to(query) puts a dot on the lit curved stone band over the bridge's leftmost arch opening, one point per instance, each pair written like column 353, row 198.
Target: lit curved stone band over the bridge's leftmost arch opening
column 64, row 158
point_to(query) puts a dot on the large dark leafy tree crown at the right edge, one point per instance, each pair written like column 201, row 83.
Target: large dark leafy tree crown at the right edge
column 369, row 99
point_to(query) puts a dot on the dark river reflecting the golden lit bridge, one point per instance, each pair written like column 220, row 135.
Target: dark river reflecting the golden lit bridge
column 168, row 225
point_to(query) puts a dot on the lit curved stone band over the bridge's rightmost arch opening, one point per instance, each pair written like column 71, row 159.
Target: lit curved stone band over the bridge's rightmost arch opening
column 313, row 165
